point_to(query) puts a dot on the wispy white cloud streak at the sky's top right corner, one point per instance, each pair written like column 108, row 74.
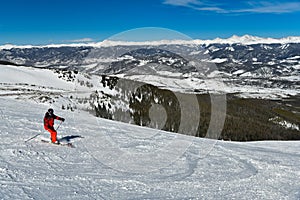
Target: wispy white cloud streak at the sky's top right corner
column 250, row 6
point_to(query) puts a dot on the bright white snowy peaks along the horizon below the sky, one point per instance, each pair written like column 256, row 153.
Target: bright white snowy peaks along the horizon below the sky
column 245, row 39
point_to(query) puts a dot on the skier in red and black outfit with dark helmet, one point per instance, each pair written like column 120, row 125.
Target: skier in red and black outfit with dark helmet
column 49, row 123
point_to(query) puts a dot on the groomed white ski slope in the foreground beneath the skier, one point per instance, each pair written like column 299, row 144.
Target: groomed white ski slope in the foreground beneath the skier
column 231, row 170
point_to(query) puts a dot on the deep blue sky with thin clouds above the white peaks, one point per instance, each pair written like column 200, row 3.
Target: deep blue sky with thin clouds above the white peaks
column 59, row 21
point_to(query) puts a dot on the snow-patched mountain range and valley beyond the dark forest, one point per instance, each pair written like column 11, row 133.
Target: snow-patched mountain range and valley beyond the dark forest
column 240, row 61
